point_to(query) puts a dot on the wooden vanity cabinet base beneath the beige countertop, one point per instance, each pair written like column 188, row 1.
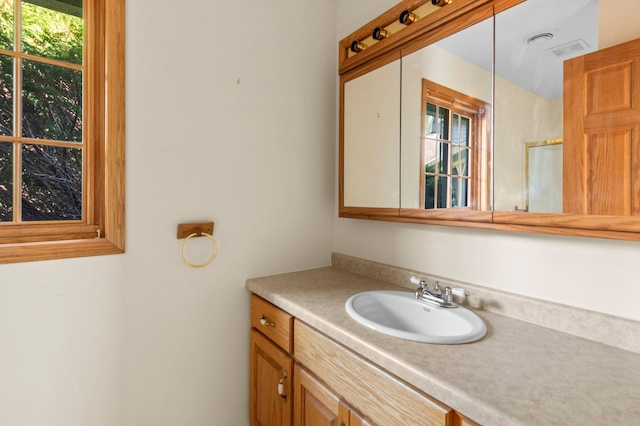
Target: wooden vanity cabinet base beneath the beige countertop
column 326, row 384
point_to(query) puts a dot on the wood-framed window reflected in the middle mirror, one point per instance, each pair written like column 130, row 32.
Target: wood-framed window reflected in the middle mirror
column 454, row 150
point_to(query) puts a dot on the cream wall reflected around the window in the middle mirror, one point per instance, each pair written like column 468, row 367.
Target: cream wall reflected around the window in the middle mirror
column 438, row 65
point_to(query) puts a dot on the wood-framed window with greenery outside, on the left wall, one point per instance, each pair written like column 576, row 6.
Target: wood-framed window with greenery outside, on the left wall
column 61, row 129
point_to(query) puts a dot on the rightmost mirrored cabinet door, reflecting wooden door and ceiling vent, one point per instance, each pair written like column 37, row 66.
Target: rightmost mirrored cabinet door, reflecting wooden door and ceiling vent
column 538, row 44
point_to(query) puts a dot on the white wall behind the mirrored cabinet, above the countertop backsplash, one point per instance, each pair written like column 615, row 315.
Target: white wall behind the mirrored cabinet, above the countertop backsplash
column 595, row 274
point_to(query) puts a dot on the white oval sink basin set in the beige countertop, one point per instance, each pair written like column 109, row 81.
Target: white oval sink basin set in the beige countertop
column 399, row 314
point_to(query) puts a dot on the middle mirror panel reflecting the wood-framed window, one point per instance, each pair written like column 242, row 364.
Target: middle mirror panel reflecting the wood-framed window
column 446, row 122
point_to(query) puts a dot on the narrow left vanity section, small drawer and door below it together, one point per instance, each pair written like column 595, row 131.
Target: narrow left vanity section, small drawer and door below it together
column 271, row 369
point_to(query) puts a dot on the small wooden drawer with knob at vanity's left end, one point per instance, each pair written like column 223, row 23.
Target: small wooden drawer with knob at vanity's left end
column 273, row 322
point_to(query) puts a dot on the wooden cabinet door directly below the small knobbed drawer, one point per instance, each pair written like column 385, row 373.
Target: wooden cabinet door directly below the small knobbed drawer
column 270, row 383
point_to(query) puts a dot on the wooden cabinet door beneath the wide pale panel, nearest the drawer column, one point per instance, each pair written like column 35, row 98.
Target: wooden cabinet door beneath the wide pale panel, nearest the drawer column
column 315, row 404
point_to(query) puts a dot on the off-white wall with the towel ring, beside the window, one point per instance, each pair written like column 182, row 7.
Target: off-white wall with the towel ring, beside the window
column 230, row 117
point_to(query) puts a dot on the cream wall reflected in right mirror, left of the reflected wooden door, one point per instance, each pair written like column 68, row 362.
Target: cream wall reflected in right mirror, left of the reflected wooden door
column 521, row 117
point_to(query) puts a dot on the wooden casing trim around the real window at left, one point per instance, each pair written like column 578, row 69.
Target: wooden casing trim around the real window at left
column 106, row 210
